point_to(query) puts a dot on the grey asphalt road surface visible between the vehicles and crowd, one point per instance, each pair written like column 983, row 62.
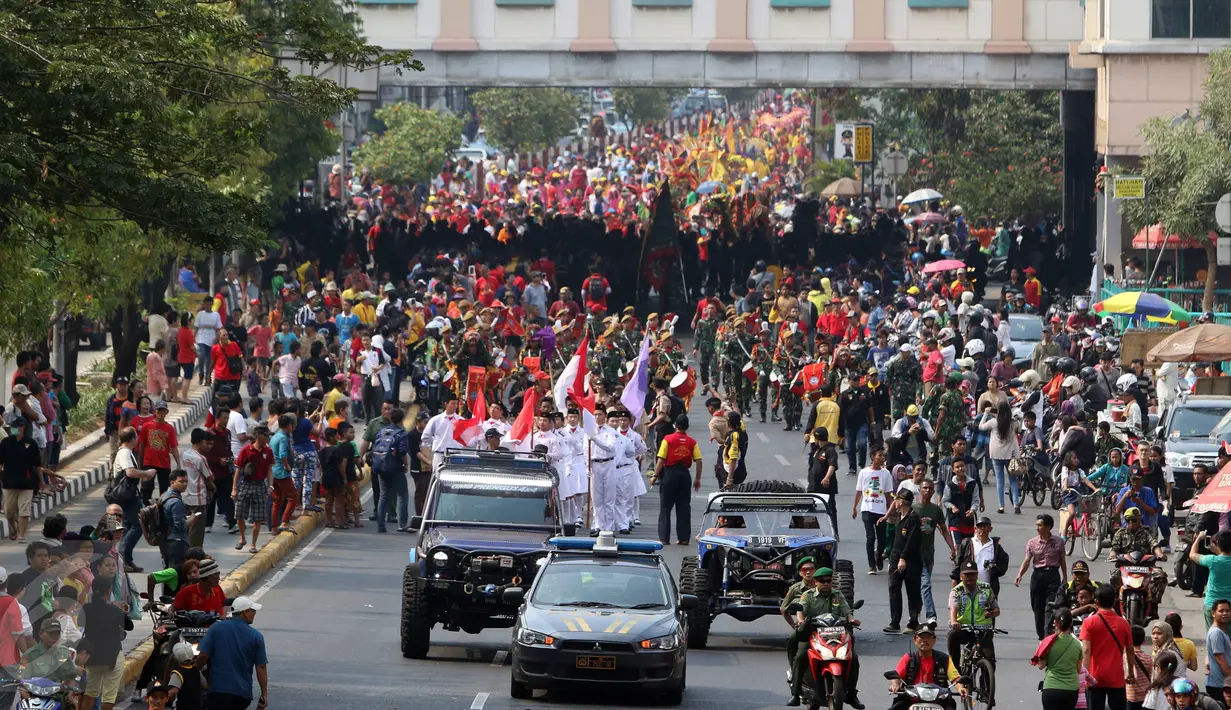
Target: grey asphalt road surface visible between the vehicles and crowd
column 332, row 623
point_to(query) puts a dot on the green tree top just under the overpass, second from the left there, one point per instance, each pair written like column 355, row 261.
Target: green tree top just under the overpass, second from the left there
column 526, row 120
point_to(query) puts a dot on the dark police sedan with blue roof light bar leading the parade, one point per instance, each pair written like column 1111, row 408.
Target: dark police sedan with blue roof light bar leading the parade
column 601, row 612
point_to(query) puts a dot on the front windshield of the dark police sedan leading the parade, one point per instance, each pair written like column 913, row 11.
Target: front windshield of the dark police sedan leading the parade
column 628, row 586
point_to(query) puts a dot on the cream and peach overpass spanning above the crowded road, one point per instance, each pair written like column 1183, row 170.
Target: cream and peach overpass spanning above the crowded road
column 728, row 44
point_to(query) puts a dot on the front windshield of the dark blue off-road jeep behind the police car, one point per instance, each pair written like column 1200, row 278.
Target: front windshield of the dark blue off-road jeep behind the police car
column 487, row 504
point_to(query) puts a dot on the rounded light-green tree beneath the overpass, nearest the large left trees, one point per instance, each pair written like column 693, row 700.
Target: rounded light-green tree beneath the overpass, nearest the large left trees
column 414, row 146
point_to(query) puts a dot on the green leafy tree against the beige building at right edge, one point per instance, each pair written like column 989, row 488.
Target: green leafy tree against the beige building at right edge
column 1187, row 167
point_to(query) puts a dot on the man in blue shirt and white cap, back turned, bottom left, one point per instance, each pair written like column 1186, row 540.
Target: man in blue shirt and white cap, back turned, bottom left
column 233, row 650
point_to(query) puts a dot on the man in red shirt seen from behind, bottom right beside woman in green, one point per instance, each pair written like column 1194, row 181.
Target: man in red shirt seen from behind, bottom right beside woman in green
column 1107, row 650
